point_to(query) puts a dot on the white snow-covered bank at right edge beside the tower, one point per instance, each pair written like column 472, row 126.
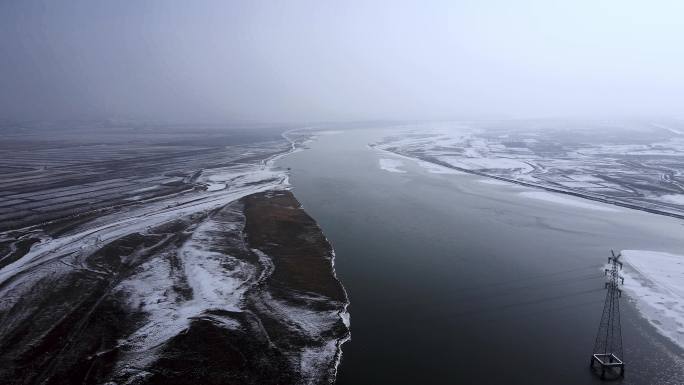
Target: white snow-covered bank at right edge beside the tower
column 655, row 282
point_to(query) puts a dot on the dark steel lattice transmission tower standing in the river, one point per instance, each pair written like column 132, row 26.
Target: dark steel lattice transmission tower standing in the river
column 607, row 356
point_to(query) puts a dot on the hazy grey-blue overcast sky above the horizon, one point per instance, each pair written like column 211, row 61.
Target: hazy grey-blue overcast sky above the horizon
column 338, row 60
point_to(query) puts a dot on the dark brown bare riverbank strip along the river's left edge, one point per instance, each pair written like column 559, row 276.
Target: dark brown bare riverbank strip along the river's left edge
column 303, row 272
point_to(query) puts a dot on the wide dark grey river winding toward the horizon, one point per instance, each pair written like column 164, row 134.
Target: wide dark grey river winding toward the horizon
column 454, row 279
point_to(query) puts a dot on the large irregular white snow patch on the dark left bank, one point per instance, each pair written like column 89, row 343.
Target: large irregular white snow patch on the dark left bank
column 214, row 280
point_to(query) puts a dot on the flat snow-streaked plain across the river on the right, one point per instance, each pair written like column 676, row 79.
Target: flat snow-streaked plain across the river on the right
column 638, row 165
